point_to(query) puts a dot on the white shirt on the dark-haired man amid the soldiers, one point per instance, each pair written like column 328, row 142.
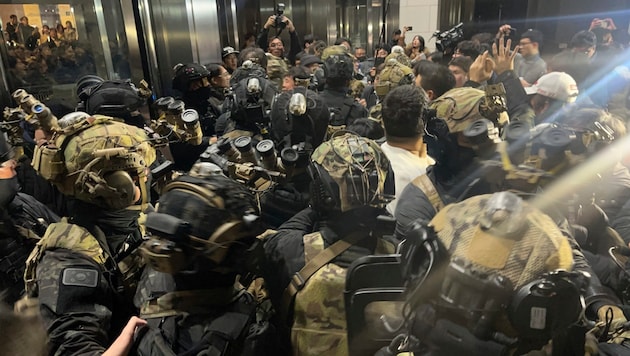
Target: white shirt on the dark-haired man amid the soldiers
column 406, row 166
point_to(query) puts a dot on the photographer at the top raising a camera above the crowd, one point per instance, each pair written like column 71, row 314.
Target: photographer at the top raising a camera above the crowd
column 275, row 46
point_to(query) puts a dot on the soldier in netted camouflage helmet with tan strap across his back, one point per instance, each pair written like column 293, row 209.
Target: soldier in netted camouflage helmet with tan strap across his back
column 348, row 192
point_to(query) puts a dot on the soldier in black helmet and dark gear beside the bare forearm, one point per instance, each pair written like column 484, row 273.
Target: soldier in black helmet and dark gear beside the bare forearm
column 201, row 237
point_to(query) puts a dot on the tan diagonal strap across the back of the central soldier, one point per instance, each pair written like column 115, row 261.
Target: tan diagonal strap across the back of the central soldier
column 300, row 278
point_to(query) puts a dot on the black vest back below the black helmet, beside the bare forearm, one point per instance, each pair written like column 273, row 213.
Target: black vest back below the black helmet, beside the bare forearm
column 231, row 315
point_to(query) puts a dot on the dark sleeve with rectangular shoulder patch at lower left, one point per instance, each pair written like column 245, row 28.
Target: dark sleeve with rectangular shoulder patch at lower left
column 75, row 303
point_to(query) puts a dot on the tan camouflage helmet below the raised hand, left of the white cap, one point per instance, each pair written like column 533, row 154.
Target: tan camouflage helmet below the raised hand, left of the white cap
column 460, row 107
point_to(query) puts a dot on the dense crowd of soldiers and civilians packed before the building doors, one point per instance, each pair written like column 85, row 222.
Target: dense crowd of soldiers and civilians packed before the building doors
column 316, row 201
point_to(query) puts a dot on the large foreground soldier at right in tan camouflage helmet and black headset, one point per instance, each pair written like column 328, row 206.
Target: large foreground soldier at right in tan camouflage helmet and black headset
column 475, row 273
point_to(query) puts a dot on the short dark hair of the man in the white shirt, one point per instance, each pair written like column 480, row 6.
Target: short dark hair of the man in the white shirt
column 402, row 112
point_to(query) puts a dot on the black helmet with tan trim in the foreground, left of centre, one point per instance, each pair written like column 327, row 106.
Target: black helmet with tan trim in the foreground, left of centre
column 201, row 214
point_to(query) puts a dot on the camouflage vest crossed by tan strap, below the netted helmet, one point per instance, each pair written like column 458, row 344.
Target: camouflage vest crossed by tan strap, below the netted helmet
column 319, row 317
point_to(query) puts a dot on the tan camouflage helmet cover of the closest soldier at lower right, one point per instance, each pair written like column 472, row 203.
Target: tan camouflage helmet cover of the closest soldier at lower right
column 501, row 233
